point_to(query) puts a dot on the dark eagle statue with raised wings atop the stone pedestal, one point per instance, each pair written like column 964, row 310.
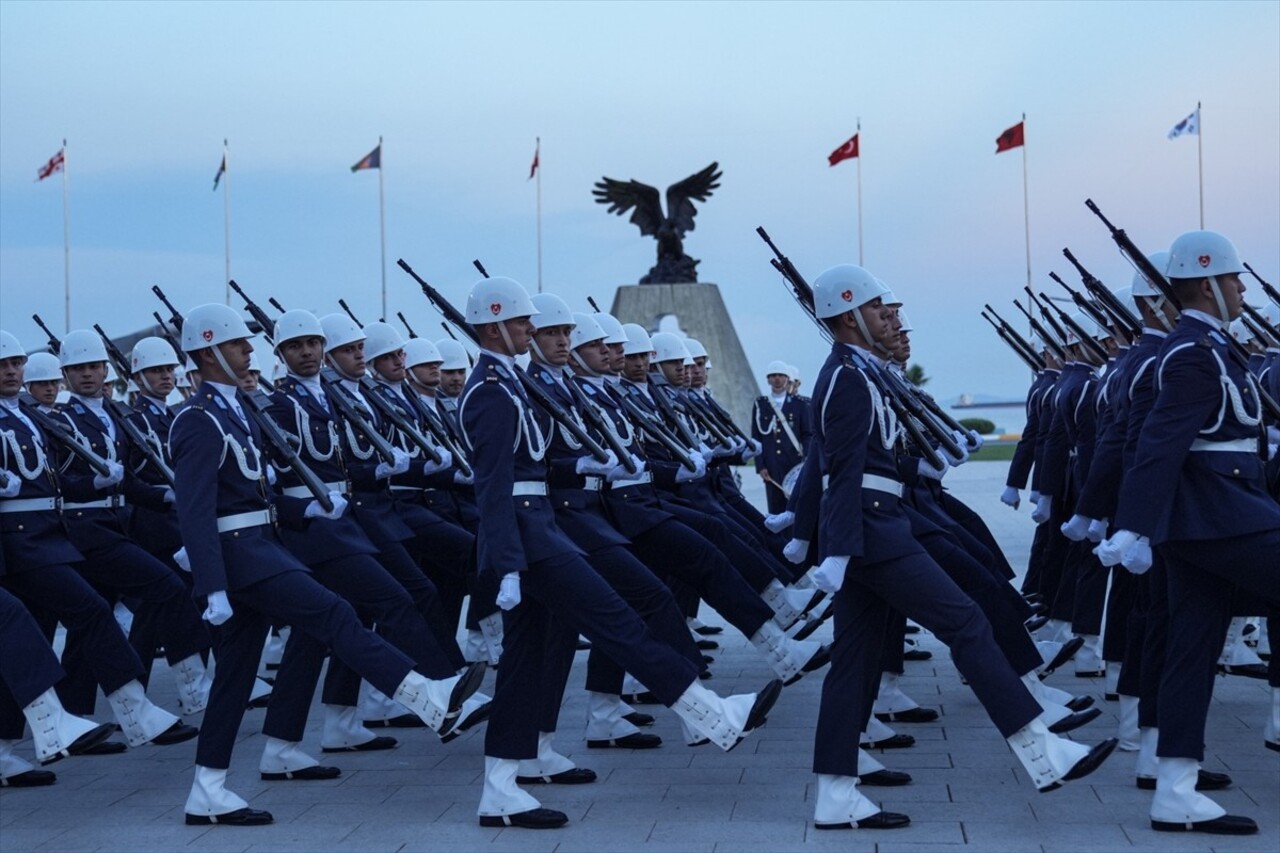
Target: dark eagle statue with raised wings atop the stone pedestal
column 674, row 266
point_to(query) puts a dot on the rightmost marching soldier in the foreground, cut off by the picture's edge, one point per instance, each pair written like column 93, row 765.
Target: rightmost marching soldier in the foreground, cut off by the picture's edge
column 1197, row 492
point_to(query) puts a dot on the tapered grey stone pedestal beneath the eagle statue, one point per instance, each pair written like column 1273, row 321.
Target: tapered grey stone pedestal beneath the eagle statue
column 702, row 314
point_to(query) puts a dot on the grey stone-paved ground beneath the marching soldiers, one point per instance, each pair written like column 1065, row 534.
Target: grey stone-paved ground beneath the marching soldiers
column 970, row 793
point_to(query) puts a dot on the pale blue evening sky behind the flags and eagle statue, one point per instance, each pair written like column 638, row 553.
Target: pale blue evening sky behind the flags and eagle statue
column 147, row 93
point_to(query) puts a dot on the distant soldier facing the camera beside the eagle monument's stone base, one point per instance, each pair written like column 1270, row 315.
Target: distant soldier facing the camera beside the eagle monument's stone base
column 780, row 422
